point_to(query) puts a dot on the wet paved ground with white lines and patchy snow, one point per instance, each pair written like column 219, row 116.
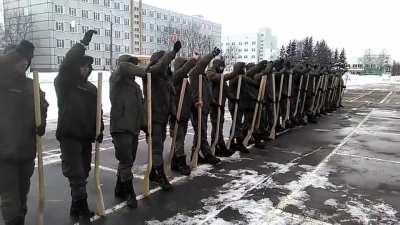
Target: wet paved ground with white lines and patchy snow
column 343, row 170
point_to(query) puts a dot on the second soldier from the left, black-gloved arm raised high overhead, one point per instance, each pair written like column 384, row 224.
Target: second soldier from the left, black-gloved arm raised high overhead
column 76, row 127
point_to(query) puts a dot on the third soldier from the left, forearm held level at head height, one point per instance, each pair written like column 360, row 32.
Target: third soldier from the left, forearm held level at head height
column 126, row 120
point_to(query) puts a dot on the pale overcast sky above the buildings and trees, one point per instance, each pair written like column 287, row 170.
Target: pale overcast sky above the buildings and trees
column 351, row 24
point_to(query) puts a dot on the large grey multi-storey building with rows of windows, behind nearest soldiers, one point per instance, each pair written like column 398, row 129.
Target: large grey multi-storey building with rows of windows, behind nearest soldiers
column 58, row 24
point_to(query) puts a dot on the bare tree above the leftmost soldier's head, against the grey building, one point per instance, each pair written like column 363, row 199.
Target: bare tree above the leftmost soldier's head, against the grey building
column 18, row 26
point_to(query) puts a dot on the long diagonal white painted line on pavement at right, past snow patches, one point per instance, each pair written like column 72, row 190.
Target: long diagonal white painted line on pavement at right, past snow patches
column 285, row 201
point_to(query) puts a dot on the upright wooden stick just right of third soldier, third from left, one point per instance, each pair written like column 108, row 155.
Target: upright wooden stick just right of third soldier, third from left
column 146, row 181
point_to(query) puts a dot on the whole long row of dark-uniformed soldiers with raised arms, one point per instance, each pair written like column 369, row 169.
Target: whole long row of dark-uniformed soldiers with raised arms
column 263, row 100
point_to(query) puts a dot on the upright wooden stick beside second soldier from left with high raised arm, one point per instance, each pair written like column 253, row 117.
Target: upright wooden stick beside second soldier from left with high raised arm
column 100, row 209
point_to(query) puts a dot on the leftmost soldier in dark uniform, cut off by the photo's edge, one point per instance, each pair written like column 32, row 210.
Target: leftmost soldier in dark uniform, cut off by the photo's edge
column 17, row 131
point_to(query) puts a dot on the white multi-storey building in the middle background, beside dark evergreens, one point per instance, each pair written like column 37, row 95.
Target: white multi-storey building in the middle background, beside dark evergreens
column 250, row 48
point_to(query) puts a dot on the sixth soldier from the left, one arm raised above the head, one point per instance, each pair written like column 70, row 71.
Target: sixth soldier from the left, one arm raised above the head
column 199, row 70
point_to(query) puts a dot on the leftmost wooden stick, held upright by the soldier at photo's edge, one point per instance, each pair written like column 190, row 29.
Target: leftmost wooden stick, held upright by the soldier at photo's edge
column 39, row 149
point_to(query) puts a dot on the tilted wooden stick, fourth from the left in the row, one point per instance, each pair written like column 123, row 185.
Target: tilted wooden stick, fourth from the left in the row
column 168, row 171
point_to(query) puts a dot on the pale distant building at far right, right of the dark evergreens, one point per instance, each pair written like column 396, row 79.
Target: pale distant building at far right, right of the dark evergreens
column 371, row 64
